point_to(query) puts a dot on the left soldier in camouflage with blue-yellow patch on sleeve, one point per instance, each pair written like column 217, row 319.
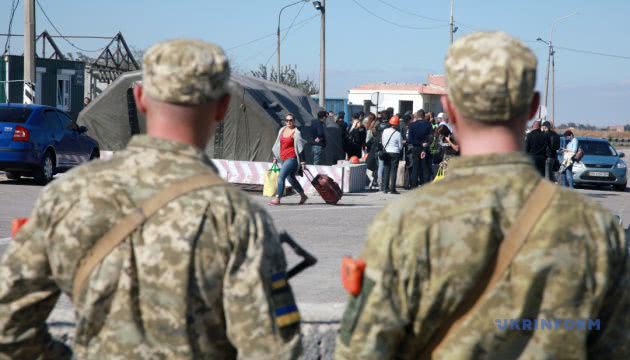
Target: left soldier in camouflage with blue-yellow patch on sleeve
column 204, row 278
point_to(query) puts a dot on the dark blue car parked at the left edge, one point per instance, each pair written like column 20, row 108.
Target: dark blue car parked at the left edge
column 40, row 141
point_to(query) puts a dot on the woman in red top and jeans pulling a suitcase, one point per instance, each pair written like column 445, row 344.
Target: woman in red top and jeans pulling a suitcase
column 288, row 149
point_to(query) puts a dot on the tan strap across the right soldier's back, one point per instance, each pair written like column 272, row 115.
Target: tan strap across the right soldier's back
column 513, row 241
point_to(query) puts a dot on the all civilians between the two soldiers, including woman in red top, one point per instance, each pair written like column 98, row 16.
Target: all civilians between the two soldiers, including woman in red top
column 424, row 141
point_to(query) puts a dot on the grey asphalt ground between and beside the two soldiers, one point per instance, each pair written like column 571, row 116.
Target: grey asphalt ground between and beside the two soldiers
column 329, row 232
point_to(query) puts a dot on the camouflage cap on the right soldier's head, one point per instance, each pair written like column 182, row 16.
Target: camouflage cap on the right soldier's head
column 491, row 76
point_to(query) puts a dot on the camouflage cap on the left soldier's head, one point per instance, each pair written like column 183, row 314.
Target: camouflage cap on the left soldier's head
column 186, row 72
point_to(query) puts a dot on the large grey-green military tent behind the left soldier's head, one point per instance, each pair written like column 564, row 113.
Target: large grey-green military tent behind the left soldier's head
column 255, row 115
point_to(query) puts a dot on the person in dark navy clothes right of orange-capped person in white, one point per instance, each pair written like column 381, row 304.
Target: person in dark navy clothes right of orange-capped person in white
column 419, row 138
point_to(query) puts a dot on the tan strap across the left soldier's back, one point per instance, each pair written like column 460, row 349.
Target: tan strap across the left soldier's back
column 131, row 222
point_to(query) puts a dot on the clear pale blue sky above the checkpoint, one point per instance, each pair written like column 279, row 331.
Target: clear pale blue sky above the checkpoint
column 363, row 48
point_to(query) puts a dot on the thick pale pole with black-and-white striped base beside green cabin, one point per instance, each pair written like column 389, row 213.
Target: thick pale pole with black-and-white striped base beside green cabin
column 29, row 51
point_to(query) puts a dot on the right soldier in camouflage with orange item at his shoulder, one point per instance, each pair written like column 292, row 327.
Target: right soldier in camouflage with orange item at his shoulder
column 425, row 253
